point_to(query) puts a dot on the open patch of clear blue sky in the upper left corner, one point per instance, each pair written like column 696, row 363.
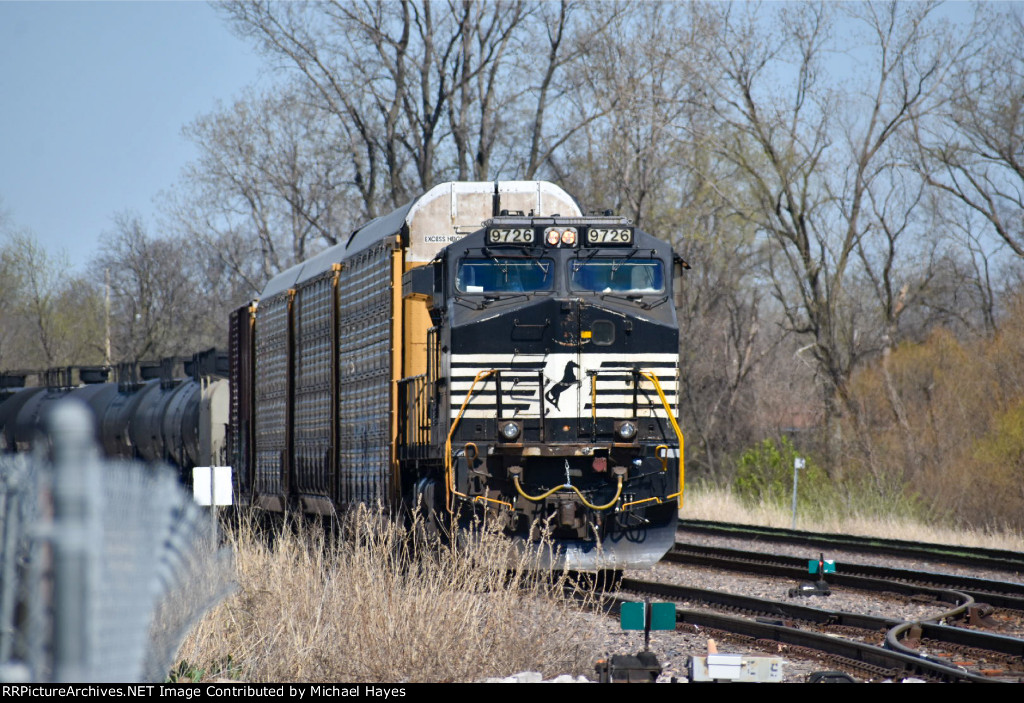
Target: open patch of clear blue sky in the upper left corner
column 94, row 97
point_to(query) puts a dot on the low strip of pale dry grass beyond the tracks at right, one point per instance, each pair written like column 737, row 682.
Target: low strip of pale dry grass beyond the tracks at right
column 714, row 504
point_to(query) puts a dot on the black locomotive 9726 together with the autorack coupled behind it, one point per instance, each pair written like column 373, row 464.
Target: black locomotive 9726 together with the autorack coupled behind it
column 485, row 351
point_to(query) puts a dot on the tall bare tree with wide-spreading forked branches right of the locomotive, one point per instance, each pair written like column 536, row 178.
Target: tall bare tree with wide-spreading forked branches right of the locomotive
column 813, row 163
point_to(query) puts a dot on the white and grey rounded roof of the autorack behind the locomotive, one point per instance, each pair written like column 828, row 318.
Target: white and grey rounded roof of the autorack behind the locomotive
column 396, row 222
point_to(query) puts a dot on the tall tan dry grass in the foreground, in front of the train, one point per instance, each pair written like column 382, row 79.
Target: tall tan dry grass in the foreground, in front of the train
column 365, row 608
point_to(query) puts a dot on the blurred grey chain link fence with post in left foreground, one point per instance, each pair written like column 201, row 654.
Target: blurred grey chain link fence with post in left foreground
column 105, row 565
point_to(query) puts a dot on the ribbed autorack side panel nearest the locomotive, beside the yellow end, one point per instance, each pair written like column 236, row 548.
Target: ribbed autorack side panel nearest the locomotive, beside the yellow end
column 365, row 369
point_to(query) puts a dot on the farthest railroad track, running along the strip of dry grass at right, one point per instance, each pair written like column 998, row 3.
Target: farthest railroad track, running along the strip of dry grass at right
column 983, row 558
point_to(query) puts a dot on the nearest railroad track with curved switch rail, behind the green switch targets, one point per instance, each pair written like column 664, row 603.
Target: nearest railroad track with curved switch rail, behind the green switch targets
column 782, row 624
